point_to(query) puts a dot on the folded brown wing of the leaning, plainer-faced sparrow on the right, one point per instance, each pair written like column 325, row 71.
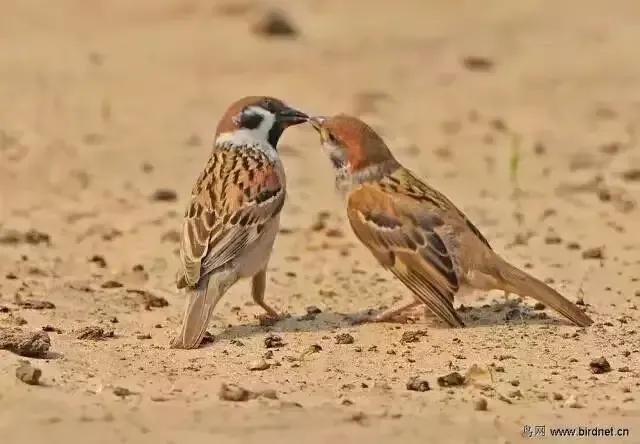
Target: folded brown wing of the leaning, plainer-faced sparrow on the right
column 402, row 236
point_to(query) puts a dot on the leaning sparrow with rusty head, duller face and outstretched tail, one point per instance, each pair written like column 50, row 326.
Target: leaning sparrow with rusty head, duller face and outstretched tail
column 415, row 232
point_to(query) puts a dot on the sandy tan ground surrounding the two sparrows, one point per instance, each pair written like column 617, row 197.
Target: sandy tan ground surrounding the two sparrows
column 524, row 113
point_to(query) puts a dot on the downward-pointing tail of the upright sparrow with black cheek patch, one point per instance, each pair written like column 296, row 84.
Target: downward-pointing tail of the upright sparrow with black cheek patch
column 199, row 306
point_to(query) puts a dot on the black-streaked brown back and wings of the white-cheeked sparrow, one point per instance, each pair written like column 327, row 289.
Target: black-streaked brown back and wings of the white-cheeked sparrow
column 236, row 195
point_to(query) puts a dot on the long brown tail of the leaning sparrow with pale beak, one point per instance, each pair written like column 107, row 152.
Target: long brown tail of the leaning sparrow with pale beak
column 514, row 280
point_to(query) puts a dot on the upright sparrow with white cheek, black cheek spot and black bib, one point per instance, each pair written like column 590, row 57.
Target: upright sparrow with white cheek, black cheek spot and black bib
column 232, row 218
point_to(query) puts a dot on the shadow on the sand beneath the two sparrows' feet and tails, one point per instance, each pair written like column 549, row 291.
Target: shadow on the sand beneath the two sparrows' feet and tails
column 497, row 313
